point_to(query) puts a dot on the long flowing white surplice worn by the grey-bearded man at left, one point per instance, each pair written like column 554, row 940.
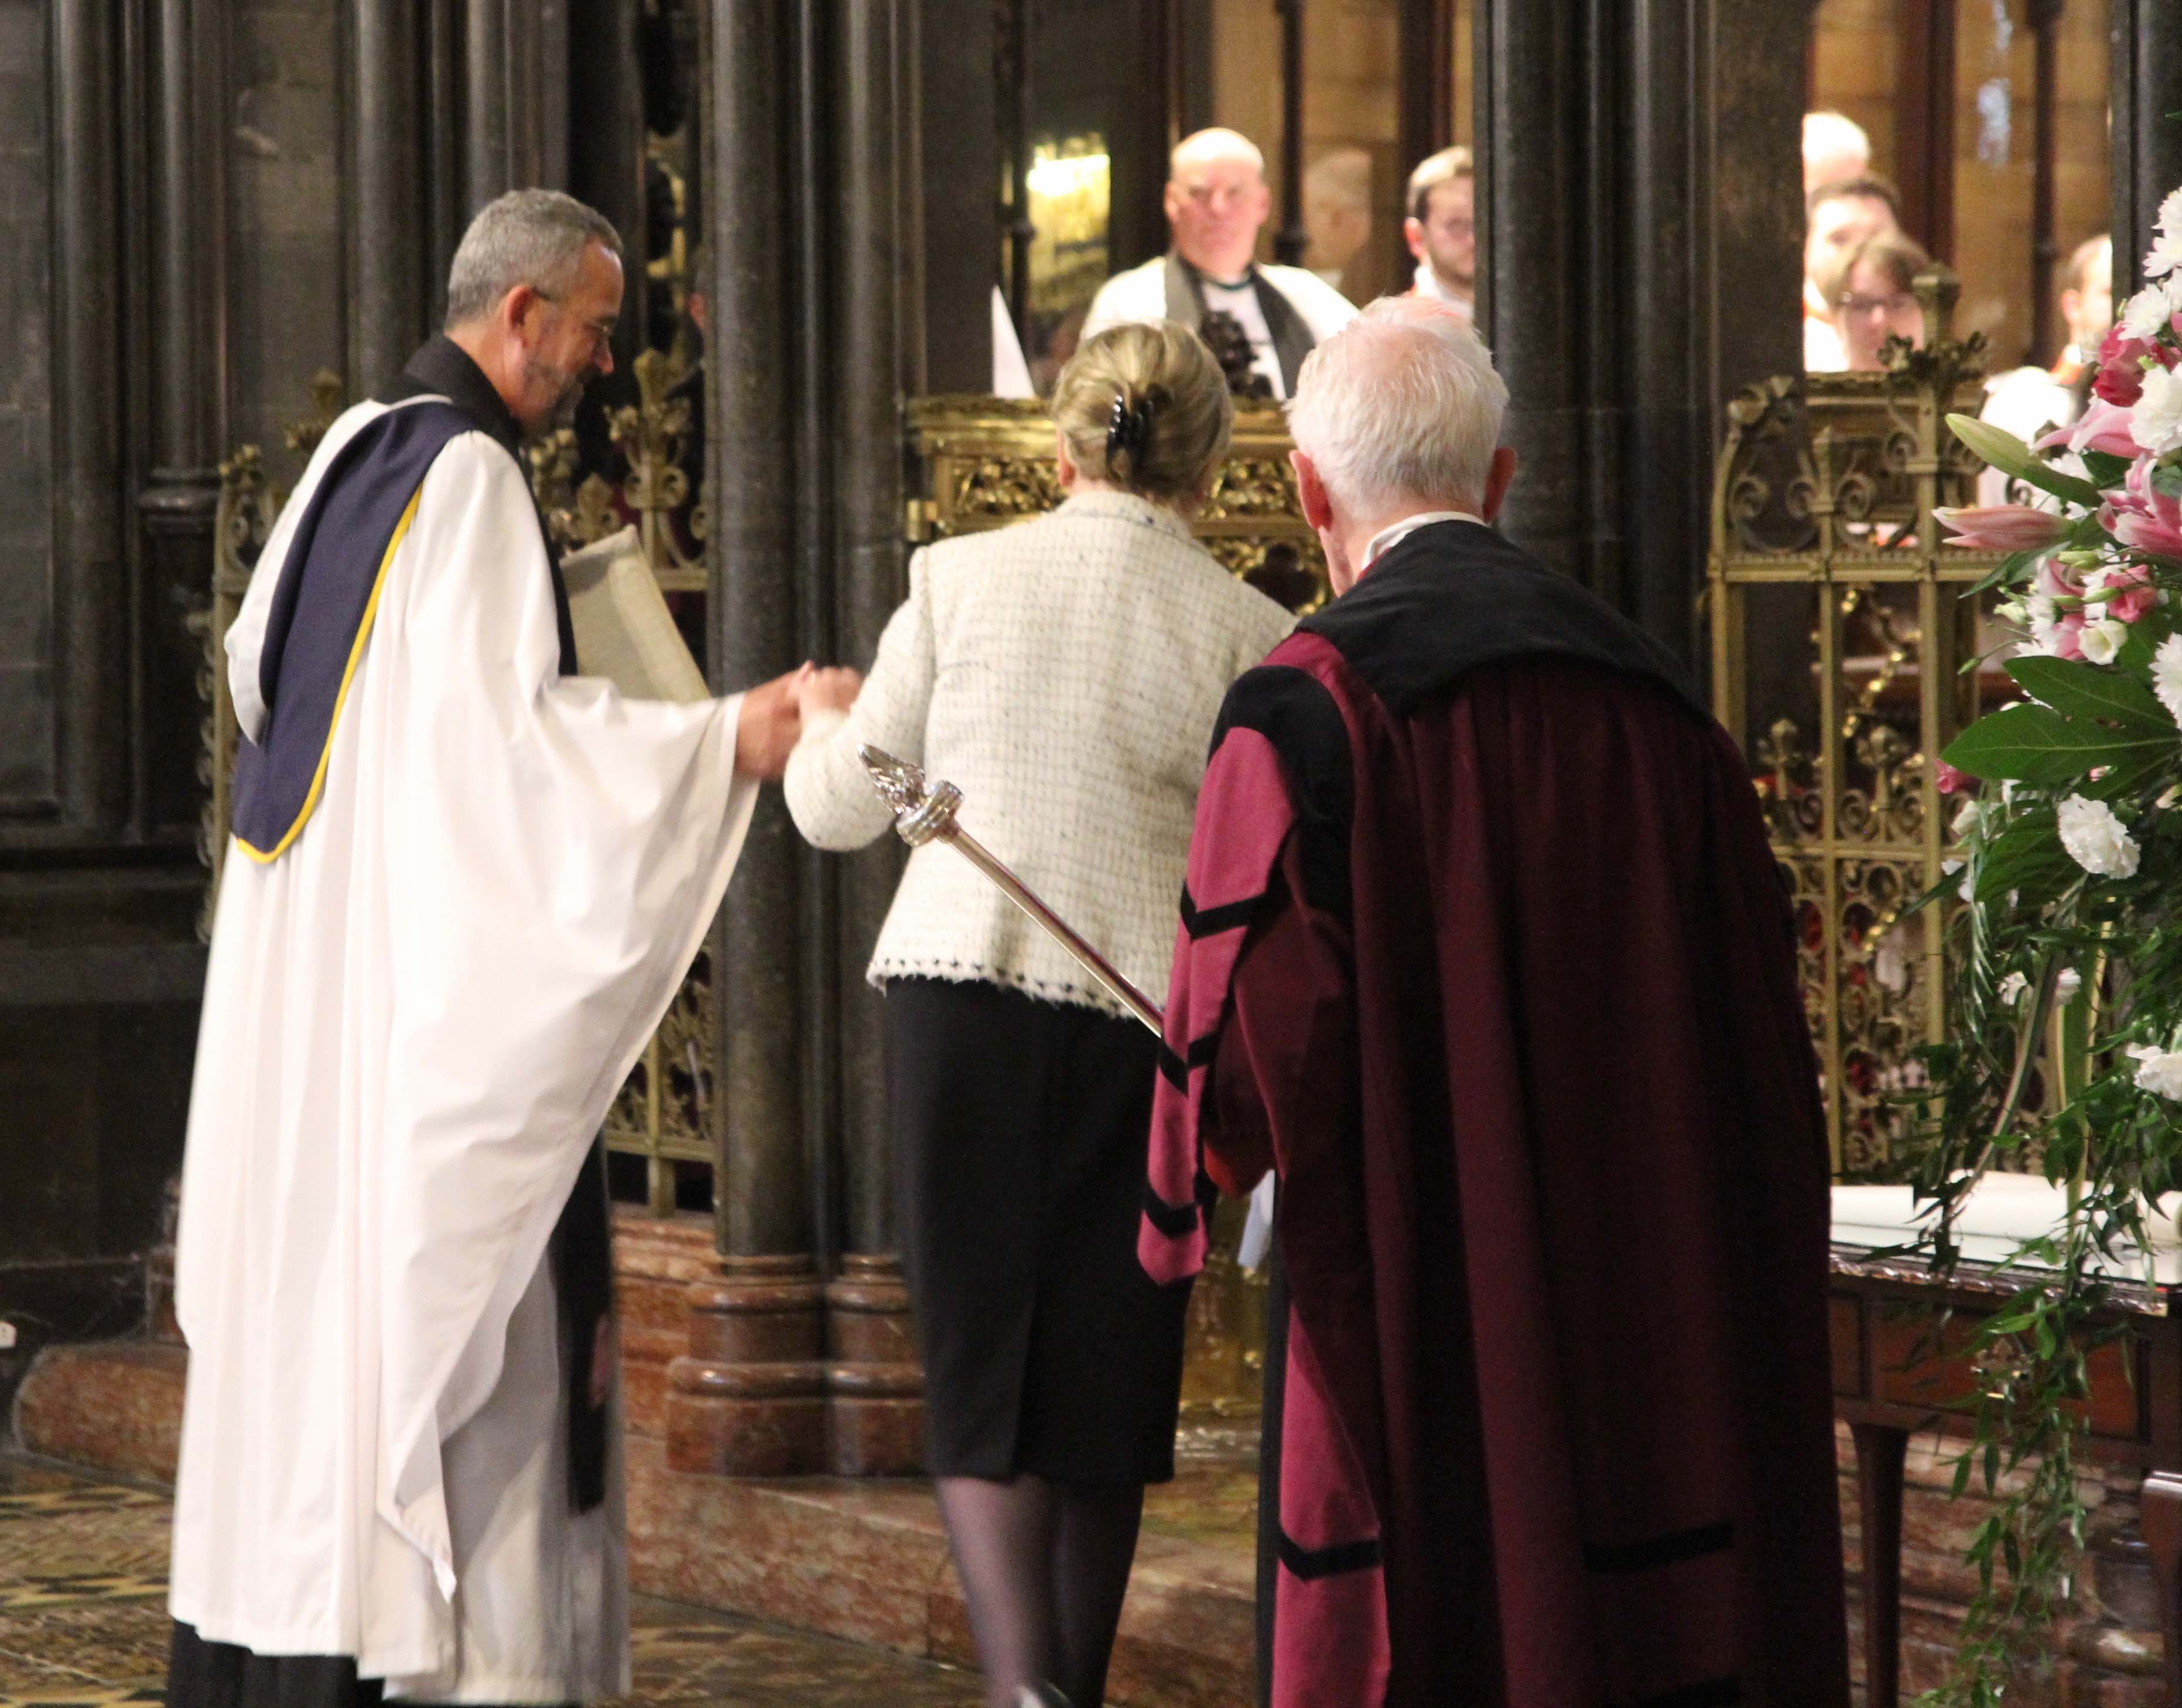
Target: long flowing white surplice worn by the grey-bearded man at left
column 413, row 1026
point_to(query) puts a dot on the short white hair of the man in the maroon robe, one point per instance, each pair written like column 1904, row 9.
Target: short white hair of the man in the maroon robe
column 1400, row 405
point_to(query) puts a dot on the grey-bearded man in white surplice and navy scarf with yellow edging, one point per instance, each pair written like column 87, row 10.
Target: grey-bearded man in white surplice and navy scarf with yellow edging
column 461, row 891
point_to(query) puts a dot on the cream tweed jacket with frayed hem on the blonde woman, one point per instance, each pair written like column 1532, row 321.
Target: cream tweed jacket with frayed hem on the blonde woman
column 1066, row 675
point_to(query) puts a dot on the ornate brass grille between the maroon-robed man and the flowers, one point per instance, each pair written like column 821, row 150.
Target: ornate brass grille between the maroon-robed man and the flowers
column 1845, row 655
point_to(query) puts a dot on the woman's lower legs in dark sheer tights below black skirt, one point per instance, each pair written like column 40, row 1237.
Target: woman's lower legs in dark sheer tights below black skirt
column 1044, row 1567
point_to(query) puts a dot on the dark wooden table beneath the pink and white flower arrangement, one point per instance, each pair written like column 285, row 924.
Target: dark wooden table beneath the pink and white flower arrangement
column 1882, row 1310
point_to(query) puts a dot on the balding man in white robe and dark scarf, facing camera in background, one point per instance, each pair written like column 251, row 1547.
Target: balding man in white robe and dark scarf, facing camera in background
column 1210, row 278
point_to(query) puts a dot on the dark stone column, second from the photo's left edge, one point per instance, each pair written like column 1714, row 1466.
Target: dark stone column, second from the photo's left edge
column 187, row 250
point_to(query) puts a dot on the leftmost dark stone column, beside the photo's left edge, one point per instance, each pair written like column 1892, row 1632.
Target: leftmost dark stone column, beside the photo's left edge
column 88, row 553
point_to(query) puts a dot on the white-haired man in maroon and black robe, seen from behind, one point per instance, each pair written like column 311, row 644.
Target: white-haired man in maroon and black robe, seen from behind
column 1483, row 952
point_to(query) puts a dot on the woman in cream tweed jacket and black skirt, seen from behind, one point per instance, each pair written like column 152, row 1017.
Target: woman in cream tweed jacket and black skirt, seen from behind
column 1064, row 675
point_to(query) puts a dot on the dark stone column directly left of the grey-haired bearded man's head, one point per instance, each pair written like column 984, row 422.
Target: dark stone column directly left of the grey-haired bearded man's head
column 385, row 206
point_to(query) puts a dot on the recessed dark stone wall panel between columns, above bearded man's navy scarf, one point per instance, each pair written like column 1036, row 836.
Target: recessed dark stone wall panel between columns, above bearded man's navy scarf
column 285, row 184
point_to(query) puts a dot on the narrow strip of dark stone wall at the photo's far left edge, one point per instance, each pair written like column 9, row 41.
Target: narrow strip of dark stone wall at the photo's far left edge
column 27, row 754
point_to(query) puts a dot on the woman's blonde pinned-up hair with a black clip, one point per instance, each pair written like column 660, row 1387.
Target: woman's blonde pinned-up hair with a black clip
column 1147, row 409
